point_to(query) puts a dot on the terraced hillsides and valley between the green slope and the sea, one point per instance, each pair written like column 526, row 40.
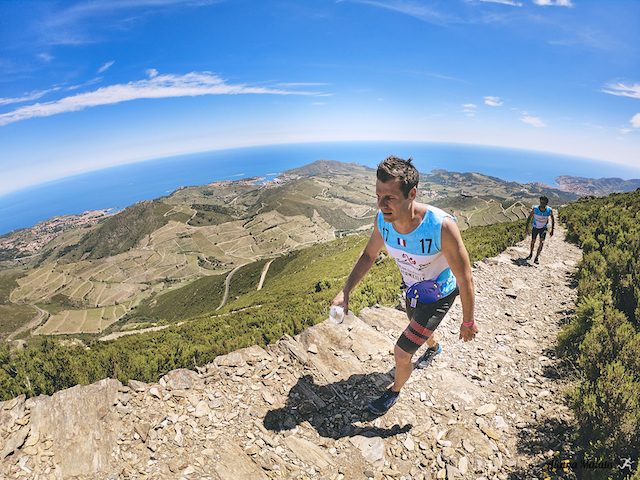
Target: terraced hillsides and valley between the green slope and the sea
column 87, row 279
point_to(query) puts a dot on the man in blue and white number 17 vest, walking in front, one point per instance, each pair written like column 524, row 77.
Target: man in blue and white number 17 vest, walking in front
column 426, row 244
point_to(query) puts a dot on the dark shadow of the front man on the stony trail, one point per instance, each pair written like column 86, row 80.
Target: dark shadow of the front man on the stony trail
column 335, row 410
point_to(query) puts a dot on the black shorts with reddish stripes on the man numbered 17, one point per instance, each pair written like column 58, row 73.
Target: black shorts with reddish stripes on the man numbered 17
column 424, row 319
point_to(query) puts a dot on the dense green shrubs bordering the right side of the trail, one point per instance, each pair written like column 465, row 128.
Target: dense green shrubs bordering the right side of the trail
column 603, row 335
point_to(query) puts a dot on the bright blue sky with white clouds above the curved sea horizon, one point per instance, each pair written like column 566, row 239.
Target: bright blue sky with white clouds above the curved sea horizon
column 91, row 84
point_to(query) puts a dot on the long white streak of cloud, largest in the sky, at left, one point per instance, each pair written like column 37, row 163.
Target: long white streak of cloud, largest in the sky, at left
column 158, row 86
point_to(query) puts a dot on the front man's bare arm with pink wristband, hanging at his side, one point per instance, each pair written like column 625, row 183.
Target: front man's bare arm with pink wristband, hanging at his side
column 458, row 259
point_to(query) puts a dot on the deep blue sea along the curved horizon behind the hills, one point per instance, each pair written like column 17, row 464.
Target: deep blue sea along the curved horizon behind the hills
column 118, row 187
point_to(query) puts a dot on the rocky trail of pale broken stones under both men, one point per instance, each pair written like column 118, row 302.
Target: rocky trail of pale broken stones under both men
column 483, row 410
